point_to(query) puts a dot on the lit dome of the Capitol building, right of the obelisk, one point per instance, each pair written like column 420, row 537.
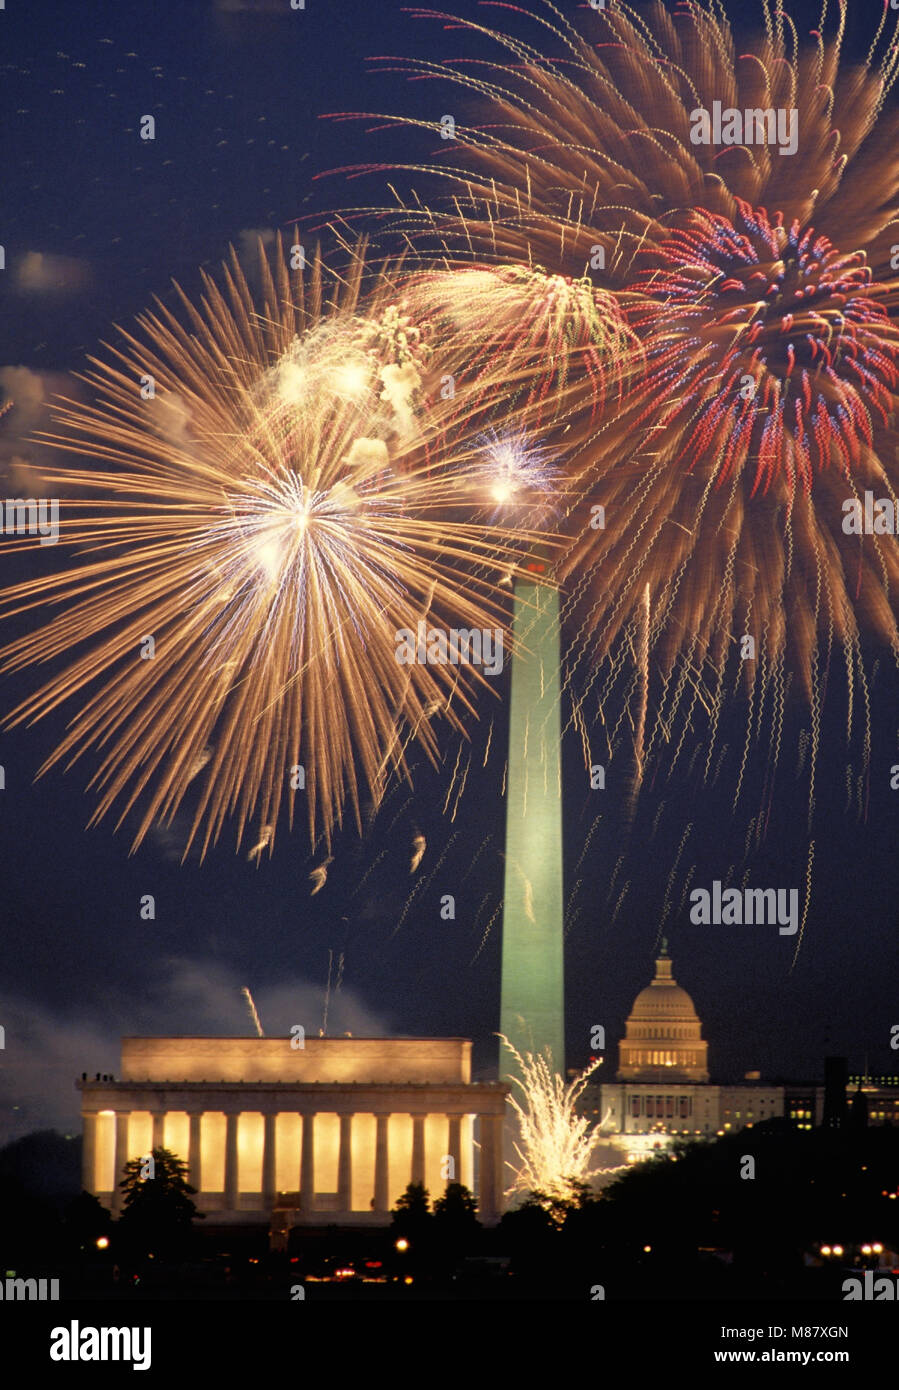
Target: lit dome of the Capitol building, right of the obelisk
column 663, row 1040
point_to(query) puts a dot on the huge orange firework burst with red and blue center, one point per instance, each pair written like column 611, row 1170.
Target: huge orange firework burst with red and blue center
column 762, row 293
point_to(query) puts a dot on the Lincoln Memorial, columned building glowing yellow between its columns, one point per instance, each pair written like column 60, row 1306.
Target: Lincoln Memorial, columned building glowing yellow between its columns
column 329, row 1132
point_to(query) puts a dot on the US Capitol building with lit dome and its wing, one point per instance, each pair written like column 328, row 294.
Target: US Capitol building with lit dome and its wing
column 662, row 1089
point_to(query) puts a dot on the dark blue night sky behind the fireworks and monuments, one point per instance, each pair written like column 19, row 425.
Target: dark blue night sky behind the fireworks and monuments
column 95, row 224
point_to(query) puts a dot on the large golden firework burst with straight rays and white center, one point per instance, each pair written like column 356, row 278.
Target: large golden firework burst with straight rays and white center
column 247, row 544
